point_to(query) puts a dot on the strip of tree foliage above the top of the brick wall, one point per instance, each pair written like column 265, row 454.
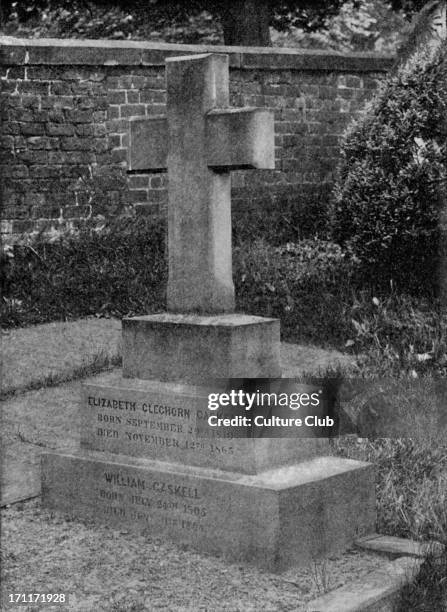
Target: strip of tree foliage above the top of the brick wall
column 237, row 21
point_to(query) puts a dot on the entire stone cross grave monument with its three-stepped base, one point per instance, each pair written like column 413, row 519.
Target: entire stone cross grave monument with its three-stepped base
column 142, row 463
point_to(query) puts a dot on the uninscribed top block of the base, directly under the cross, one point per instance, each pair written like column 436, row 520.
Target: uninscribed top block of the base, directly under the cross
column 192, row 348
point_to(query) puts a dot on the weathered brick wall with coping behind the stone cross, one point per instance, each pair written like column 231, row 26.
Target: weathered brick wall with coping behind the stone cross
column 65, row 111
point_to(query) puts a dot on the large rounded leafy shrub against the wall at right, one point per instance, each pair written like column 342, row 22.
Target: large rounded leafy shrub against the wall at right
column 392, row 181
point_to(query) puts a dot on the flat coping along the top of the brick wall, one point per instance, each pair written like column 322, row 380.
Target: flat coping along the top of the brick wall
column 68, row 51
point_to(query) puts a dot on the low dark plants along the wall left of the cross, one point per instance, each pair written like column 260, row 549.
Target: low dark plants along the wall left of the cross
column 116, row 271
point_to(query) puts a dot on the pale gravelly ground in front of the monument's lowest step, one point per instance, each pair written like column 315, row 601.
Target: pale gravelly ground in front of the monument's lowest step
column 111, row 571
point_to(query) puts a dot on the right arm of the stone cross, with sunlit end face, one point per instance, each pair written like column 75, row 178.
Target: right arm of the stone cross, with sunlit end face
column 240, row 139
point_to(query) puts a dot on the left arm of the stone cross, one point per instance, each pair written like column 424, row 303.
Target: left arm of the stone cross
column 148, row 146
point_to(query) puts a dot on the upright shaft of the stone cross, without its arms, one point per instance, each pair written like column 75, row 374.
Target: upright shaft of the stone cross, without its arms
column 199, row 216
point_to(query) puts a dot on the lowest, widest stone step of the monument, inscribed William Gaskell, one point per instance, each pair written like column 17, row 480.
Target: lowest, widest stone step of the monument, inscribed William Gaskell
column 275, row 519
